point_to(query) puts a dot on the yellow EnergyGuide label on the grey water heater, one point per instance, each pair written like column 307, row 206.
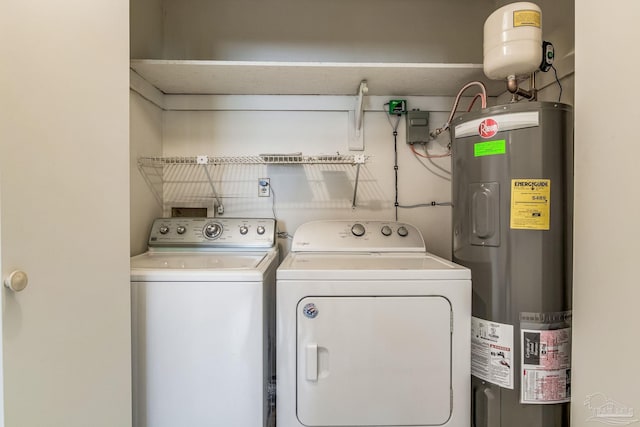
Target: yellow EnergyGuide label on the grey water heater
column 530, row 200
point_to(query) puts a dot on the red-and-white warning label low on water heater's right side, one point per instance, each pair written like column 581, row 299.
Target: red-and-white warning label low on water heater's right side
column 546, row 366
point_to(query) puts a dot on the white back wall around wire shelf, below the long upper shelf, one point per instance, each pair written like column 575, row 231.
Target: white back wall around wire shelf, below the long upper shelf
column 311, row 192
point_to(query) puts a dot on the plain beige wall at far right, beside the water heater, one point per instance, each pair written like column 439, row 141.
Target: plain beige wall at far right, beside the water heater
column 606, row 291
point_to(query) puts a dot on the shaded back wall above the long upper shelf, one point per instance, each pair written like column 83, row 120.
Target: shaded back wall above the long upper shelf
column 319, row 30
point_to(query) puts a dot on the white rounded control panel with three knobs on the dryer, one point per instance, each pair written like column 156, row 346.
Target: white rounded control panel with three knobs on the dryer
column 357, row 236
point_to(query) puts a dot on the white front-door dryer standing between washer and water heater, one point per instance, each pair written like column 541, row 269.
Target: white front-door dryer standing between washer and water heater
column 371, row 329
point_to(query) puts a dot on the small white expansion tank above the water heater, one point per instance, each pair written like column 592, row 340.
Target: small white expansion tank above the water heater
column 513, row 40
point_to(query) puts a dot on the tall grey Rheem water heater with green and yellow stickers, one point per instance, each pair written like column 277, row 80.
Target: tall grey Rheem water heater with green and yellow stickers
column 512, row 226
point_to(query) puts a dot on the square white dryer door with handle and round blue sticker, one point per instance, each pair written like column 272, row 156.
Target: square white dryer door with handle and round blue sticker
column 374, row 360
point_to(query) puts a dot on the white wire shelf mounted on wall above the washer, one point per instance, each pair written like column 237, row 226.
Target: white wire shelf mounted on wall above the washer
column 263, row 159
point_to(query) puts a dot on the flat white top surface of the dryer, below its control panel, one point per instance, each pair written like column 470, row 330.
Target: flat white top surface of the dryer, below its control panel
column 369, row 266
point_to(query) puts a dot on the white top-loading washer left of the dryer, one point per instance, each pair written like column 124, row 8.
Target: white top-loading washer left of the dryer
column 203, row 323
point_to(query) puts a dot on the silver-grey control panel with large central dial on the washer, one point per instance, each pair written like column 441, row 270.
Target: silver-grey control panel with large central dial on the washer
column 213, row 232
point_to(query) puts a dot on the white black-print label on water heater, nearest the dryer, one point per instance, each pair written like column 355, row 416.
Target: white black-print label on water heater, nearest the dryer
column 492, row 352
